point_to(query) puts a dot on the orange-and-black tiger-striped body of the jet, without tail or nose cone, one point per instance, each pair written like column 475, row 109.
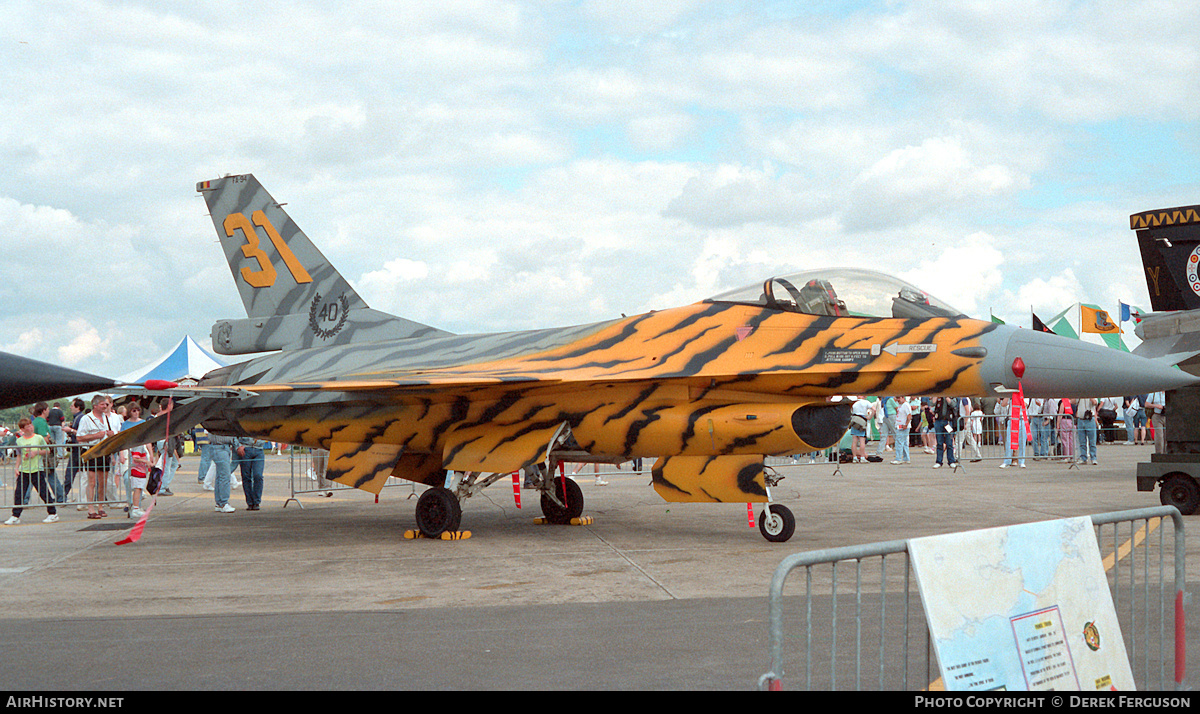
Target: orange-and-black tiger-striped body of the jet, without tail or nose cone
column 691, row 382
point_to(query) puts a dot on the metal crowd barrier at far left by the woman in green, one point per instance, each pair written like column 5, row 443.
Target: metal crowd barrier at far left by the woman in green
column 64, row 478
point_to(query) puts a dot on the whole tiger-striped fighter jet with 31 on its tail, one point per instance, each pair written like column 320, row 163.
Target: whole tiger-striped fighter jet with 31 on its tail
column 707, row 391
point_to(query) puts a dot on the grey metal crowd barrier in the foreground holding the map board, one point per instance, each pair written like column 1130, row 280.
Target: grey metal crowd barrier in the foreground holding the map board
column 861, row 622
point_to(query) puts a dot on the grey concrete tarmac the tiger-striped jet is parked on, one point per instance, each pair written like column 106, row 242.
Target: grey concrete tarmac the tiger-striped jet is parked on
column 331, row 596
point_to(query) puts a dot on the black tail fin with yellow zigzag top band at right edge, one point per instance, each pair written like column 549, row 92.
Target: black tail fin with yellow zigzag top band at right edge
column 1169, row 241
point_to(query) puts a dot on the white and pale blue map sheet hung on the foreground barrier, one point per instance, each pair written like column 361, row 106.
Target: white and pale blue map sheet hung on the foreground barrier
column 1022, row 608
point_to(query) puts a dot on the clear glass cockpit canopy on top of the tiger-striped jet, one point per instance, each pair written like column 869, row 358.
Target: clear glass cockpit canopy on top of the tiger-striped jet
column 841, row 292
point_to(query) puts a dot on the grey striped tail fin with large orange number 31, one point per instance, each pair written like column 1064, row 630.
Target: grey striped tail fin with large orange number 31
column 295, row 297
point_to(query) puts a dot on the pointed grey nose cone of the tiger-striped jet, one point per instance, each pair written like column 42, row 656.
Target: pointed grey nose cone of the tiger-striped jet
column 1058, row 367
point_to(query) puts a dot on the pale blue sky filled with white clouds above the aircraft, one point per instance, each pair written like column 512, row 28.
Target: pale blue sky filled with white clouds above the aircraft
column 485, row 166
